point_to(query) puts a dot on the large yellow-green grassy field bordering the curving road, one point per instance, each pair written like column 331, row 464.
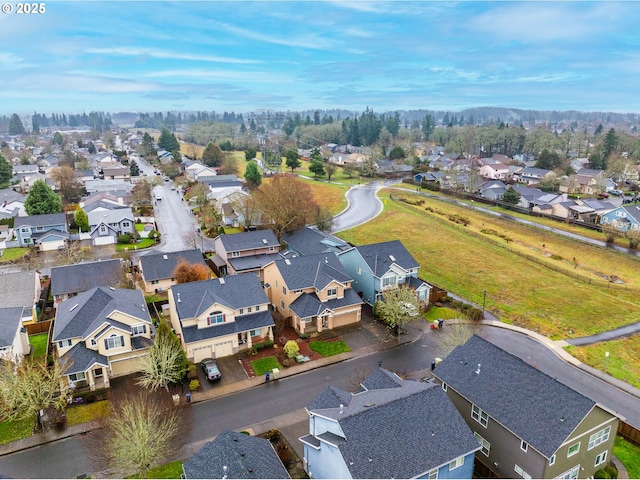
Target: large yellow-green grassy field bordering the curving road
column 519, row 290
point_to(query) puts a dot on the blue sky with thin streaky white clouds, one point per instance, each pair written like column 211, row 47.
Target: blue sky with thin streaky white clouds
column 244, row 56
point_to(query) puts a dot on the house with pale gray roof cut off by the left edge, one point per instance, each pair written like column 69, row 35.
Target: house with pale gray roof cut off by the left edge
column 21, row 289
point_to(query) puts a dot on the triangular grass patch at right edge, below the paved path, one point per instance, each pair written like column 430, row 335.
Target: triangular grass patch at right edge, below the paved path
column 623, row 361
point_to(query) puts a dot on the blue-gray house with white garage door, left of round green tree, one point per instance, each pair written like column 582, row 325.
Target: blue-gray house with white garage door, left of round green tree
column 47, row 232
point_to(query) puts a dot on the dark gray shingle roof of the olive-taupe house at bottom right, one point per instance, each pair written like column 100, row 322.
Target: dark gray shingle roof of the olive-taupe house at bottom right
column 532, row 405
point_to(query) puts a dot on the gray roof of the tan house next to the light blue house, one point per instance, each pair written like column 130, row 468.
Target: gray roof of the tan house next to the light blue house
column 312, row 271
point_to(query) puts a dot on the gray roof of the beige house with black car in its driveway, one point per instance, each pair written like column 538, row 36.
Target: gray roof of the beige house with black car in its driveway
column 237, row 291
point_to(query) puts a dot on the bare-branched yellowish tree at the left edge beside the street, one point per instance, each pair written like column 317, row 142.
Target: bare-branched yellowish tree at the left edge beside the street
column 29, row 388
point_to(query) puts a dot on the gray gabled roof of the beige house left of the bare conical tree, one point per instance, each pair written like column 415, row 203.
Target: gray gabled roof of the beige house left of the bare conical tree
column 83, row 314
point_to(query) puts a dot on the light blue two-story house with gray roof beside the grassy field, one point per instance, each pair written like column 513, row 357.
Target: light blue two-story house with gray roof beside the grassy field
column 377, row 267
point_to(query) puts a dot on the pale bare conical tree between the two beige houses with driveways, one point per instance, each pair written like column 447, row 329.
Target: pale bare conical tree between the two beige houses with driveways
column 166, row 362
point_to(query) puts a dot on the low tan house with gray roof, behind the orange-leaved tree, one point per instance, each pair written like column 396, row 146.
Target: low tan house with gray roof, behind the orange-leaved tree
column 158, row 269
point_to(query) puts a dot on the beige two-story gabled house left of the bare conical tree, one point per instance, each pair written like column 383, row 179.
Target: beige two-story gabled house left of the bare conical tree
column 100, row 334
